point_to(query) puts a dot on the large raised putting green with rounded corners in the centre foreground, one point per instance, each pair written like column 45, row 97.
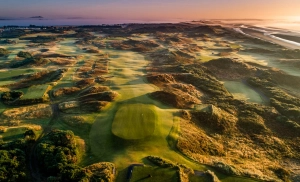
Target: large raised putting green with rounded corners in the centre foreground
column 134, row 121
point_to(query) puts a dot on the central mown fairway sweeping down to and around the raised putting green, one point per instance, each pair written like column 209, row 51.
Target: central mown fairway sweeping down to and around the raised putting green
column 127, row 69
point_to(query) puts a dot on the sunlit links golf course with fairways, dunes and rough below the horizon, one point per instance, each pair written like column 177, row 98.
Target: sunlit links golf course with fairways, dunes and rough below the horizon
column 147, row 102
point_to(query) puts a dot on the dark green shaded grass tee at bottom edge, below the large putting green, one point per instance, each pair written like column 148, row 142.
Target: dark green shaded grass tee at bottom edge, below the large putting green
column 141, row 173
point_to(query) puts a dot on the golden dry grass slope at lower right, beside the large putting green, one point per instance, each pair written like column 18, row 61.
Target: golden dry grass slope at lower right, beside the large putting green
column 233, row 154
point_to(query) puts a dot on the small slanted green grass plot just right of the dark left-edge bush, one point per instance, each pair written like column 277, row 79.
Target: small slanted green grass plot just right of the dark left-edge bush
column 35, row 92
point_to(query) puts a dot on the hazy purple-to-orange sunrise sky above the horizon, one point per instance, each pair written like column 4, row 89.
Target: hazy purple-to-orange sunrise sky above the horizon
column 152, row 9
